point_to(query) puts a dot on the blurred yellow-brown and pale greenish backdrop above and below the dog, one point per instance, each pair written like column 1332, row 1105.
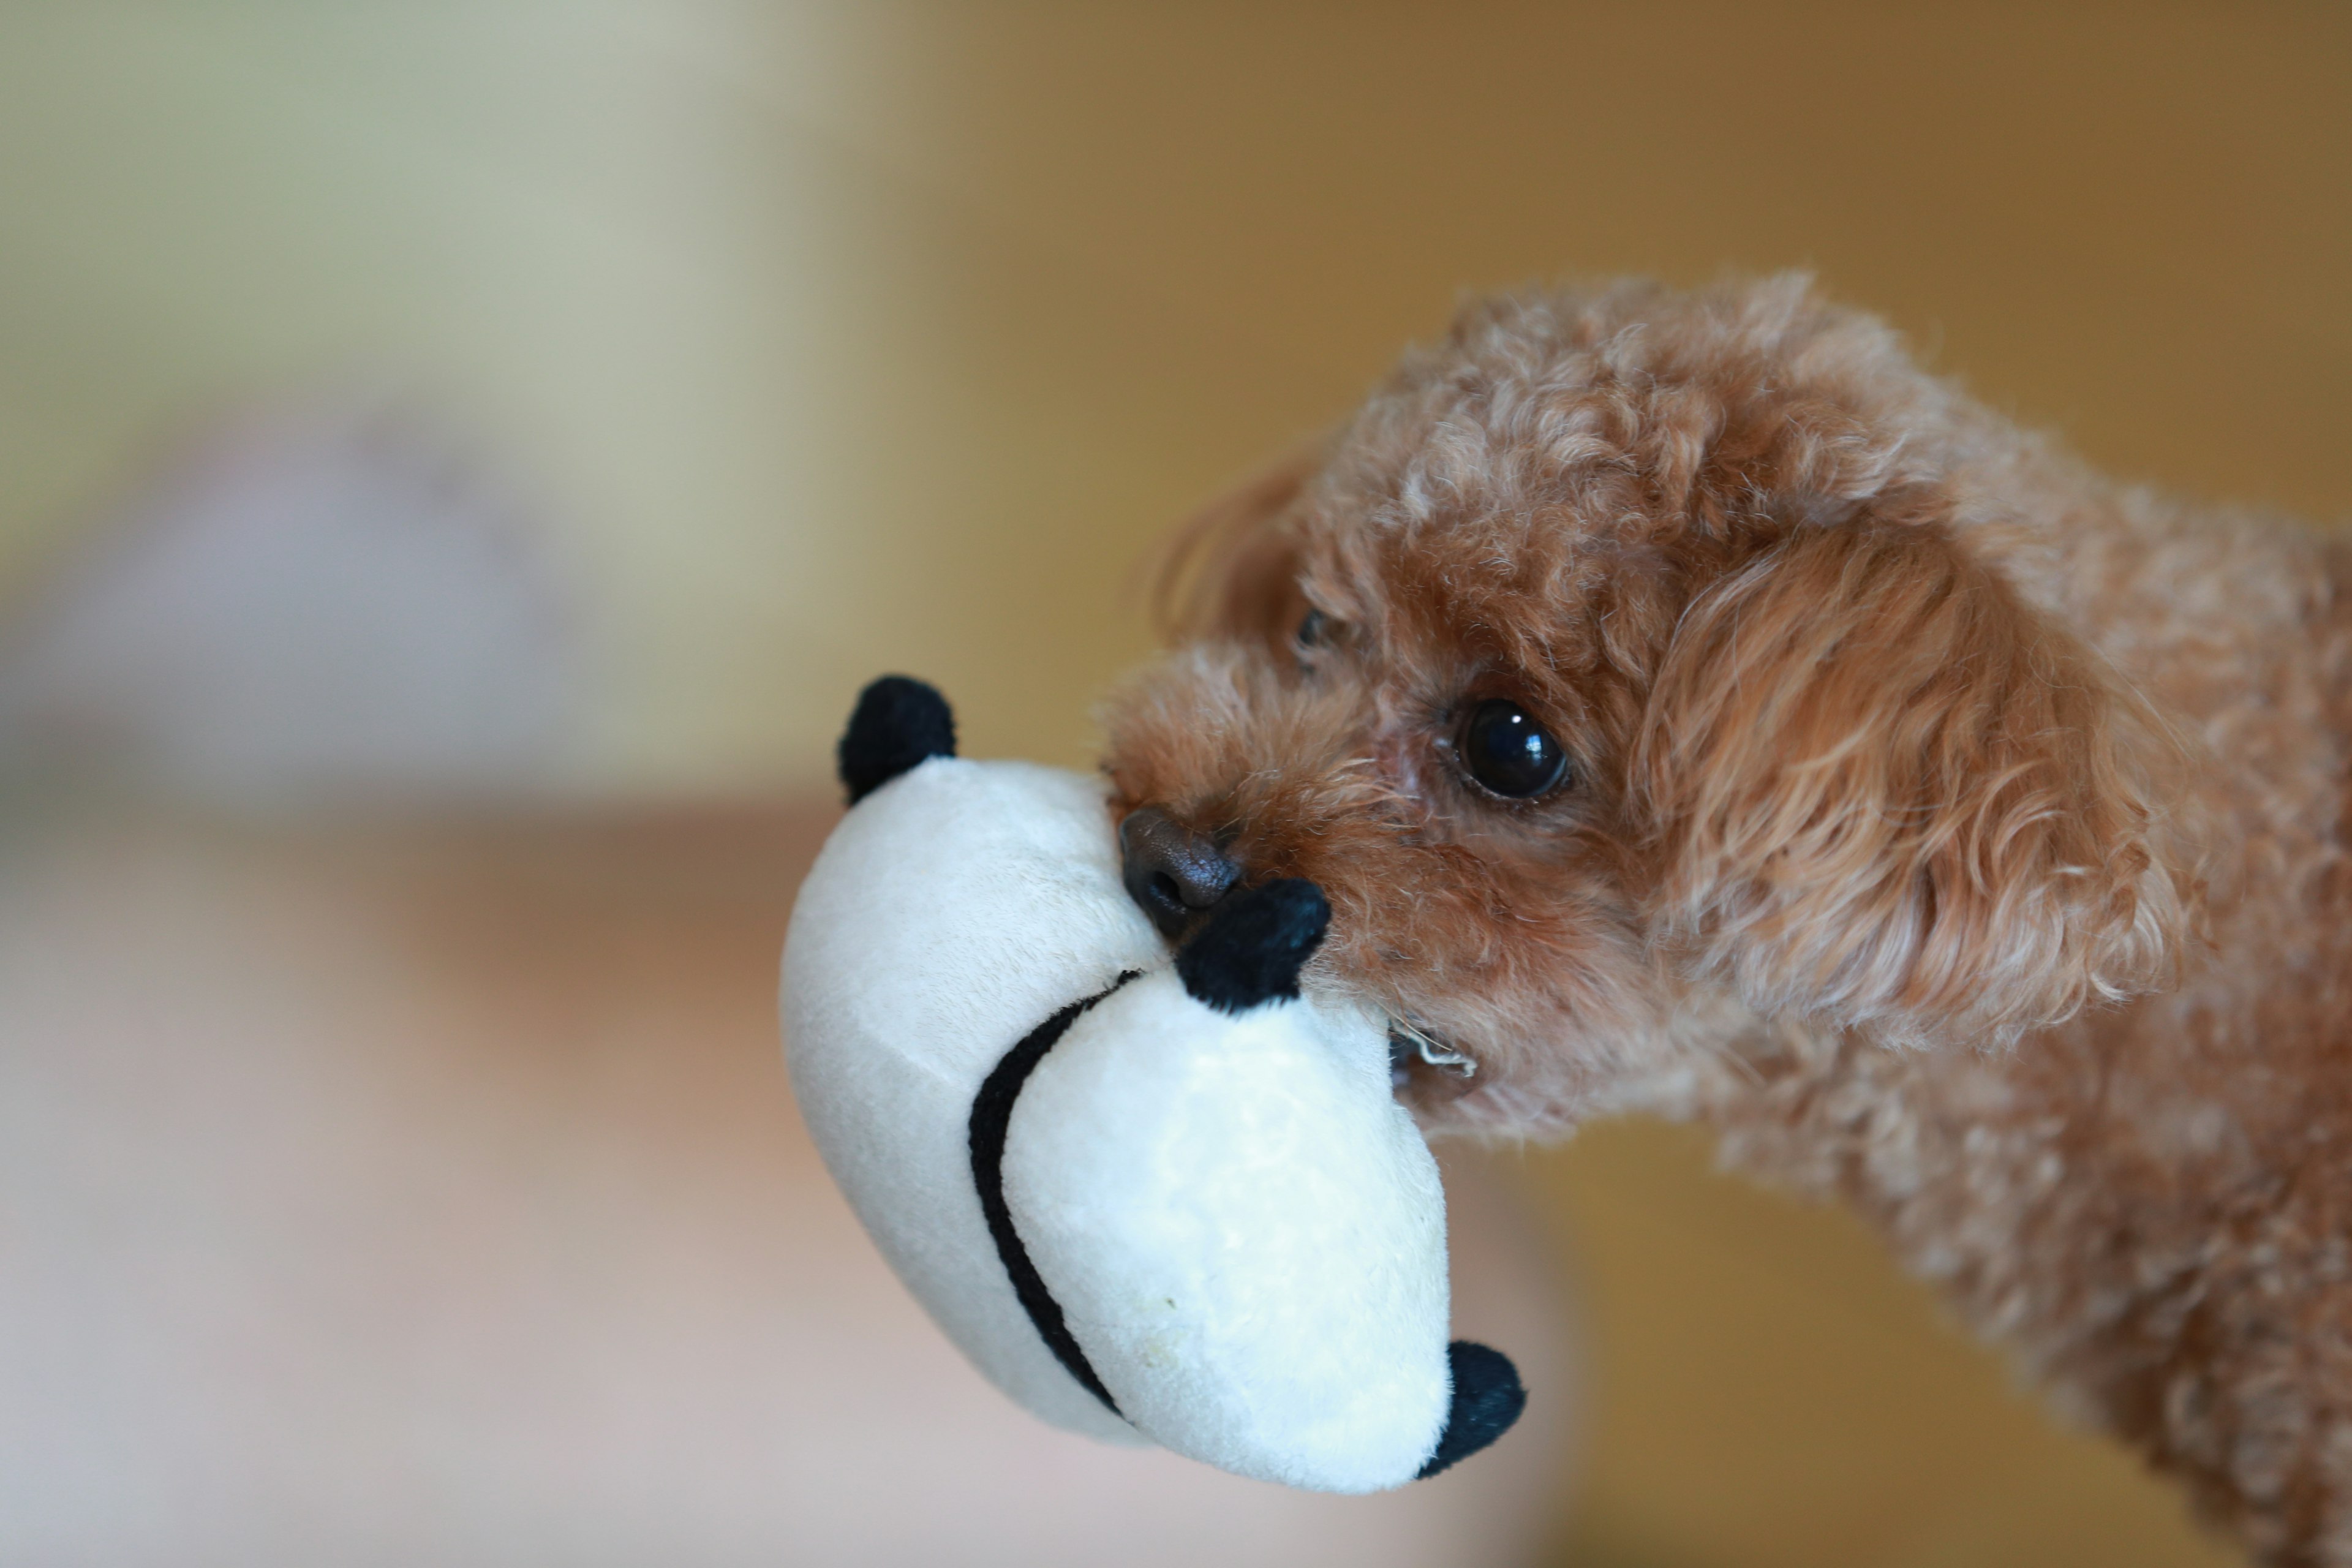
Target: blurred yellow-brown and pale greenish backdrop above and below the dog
column 836, row 340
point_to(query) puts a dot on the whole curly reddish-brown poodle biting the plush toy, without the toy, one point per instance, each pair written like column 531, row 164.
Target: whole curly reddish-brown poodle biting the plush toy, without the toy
column 1958, row 831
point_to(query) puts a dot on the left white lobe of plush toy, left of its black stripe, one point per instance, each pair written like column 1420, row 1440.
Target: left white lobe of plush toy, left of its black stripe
column 949, row 916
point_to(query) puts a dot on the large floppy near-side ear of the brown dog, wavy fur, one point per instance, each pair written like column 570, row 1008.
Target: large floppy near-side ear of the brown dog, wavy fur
column 1892, row 796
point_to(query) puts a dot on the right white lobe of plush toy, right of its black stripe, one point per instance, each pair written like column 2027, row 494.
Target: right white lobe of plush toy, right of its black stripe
column 1245, row 1233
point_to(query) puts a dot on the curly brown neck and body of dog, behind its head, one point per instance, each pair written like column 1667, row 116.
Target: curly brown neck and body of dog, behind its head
column 2151, row 1202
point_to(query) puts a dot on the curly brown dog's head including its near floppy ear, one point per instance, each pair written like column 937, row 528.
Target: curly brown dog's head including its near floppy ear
column 1650, row 664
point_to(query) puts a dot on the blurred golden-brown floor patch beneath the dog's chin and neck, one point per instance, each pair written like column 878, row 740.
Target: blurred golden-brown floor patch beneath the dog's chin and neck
column 1768, row 1393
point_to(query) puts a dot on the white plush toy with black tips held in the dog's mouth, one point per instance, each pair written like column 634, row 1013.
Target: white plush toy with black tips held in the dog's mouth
column 1151, row 1195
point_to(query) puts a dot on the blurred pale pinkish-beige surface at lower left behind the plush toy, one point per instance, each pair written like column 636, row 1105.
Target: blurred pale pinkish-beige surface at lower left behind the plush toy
column 434, row 1195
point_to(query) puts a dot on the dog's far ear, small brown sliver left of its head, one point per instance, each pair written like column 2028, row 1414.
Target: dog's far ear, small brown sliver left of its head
column 1231, row 570
